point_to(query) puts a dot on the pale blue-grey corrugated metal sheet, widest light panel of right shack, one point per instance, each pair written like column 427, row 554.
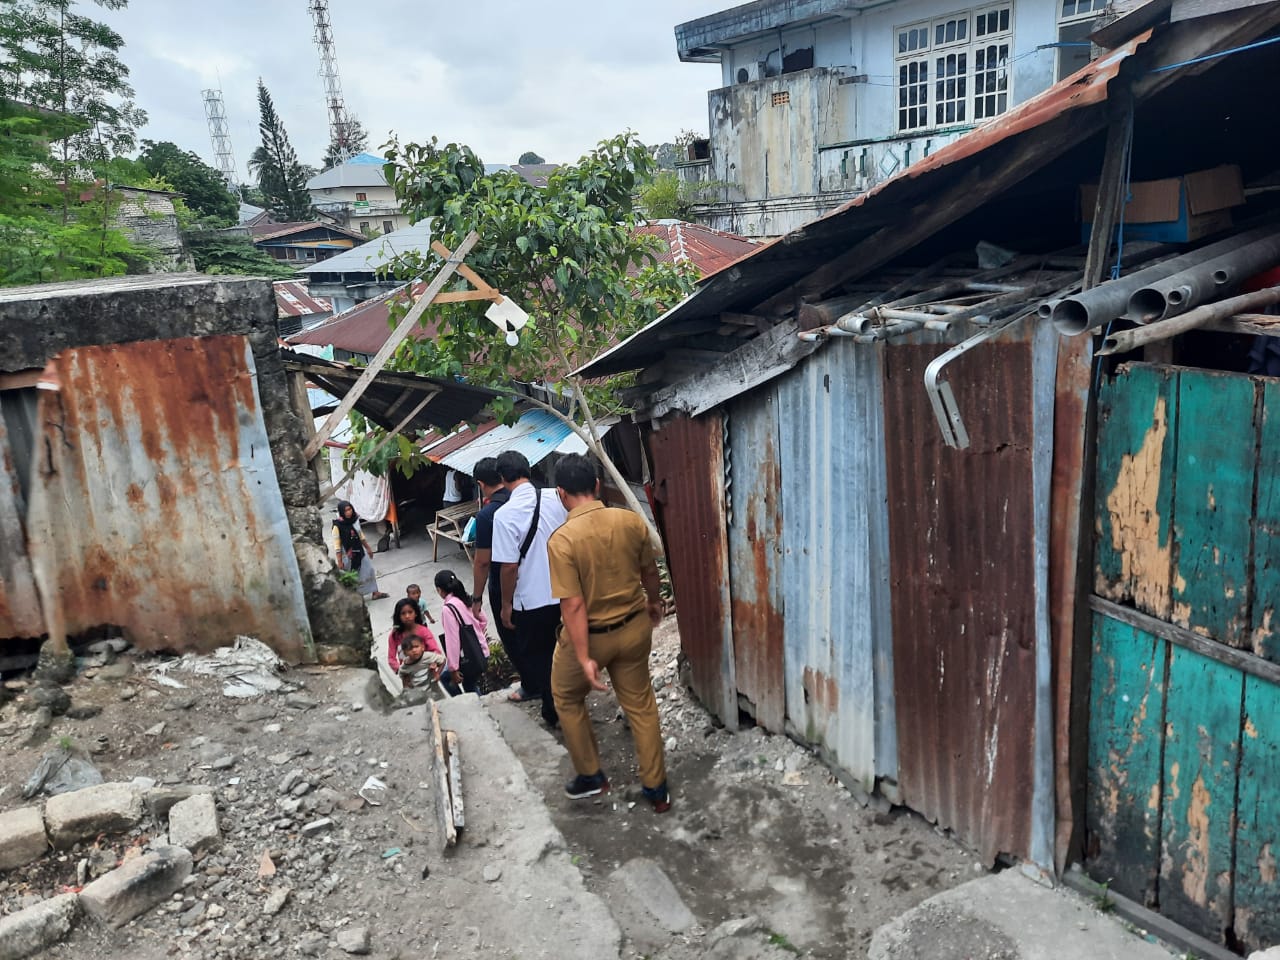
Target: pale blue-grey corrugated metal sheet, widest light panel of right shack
column 835, row 566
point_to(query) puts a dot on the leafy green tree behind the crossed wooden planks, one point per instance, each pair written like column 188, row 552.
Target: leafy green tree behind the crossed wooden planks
column 569, row 254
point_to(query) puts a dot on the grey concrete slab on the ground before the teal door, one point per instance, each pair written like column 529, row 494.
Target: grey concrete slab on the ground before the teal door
column 1009, row 917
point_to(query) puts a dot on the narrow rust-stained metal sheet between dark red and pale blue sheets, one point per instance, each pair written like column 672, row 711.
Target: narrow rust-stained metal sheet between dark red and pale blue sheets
column 756, row 542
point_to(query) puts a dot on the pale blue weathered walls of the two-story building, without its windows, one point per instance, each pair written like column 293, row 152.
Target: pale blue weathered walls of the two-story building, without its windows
column 838, row 135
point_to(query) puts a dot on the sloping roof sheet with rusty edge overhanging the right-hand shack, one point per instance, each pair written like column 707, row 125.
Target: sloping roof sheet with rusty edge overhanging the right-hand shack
column 774, row 267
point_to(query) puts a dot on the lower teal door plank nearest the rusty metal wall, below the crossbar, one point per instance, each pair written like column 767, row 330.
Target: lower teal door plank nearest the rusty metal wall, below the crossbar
column 1124, row 785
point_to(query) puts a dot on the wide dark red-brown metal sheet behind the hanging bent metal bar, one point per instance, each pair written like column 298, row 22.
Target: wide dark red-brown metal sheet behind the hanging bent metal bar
column 964, row 588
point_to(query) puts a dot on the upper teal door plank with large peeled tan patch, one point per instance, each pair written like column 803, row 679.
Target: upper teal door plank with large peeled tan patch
column 1137, row 419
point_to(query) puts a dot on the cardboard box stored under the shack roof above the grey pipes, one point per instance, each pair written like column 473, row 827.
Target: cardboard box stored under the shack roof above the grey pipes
column 1177, row 209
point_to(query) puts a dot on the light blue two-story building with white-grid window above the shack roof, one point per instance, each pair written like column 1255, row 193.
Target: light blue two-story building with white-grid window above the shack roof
column 822, row 99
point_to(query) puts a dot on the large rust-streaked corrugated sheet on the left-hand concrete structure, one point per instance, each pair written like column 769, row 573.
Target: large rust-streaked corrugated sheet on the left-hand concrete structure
column 157, row 505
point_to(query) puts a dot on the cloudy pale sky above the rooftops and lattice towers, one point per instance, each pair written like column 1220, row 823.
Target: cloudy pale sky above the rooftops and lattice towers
column 505, row 77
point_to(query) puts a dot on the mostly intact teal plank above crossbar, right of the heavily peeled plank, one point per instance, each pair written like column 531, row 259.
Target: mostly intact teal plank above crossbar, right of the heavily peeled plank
column 1214, row 504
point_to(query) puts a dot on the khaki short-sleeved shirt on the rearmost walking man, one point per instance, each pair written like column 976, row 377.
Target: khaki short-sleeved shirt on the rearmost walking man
column 598, row 555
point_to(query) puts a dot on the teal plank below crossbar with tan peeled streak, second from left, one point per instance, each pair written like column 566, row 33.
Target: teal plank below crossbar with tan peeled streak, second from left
column 1203, row 725
